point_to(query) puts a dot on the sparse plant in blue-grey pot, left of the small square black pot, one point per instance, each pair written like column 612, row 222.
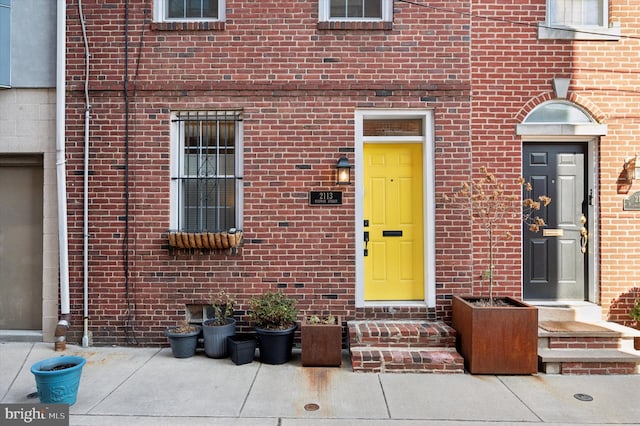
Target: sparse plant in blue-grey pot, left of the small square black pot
column 220, row 326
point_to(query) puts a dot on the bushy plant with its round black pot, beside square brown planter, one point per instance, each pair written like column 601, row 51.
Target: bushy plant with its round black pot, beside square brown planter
column 275, row 317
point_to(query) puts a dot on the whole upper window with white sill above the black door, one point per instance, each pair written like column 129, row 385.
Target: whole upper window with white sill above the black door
column 578, row 20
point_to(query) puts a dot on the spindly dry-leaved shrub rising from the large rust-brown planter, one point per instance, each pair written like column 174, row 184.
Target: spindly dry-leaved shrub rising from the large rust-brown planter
column 491, row 208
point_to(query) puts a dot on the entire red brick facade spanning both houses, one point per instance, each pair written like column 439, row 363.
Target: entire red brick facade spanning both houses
column 299, row 84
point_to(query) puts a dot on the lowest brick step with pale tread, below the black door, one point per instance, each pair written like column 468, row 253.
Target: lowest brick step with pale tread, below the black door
column 587, row 361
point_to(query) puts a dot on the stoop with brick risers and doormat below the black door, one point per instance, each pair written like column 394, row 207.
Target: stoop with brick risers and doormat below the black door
column 575, row 342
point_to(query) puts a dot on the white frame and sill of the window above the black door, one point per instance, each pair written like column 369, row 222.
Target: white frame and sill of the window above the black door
column 604, row 31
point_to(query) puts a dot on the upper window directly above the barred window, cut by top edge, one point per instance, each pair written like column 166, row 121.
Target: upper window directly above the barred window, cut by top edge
column 189, row 10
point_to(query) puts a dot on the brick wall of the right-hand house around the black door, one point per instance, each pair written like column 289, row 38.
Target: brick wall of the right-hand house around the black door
column 512, row 73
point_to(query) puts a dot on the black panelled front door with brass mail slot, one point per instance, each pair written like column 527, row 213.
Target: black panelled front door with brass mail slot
column 555, row 259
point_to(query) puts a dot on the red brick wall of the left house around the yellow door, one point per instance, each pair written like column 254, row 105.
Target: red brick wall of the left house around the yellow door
column 299, row 87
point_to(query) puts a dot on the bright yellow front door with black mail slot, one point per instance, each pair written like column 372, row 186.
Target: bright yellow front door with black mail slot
column 393, row 219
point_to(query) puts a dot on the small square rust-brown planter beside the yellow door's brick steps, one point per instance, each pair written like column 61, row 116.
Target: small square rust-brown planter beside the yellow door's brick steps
column 321, row 341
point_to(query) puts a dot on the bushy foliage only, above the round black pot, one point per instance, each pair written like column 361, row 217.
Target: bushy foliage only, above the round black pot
column 273, row 311
